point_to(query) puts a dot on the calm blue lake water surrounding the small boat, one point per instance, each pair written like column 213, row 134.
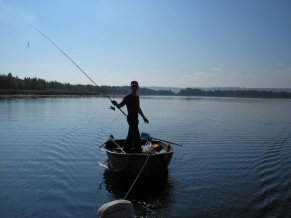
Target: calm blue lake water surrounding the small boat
column 235, row 160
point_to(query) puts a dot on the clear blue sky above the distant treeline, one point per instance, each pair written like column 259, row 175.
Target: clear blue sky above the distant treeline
column 165, row 43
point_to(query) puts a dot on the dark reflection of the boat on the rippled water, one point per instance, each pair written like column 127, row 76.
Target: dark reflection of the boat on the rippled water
column 152, row 198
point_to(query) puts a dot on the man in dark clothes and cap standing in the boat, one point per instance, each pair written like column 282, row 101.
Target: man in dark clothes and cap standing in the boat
column 131, row 101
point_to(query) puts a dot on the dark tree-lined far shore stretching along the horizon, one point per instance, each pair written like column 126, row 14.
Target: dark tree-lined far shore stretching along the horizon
column 10, row 85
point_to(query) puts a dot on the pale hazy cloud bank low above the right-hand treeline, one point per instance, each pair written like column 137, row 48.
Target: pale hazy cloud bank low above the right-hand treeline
column 214, row 77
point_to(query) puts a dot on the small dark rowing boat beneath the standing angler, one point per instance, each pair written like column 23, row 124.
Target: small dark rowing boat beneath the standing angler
column 150, row 166
